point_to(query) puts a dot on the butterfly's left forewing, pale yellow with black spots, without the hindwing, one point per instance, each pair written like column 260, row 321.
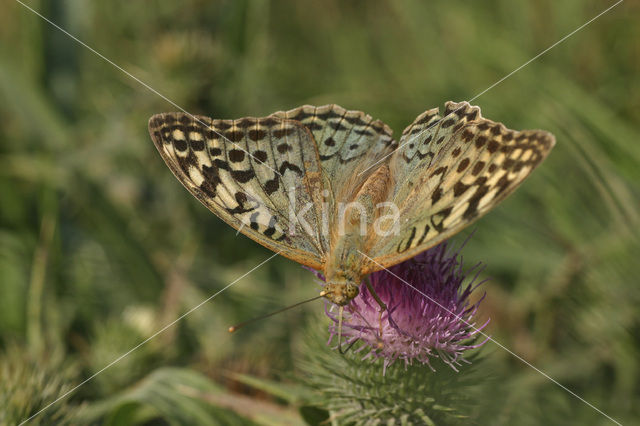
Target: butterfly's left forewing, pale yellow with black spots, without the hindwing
column 241, row 170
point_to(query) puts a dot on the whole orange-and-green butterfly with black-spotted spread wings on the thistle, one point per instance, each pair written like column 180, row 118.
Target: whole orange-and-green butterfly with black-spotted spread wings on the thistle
column 331, row 189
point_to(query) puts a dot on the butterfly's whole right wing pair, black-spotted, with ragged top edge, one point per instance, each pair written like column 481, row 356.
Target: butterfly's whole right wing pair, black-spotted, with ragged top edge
column 450, row 171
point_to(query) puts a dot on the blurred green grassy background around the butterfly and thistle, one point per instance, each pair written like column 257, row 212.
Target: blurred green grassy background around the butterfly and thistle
column 100, row 246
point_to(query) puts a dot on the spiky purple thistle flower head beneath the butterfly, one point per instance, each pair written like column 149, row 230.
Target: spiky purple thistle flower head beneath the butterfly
column 429, row 313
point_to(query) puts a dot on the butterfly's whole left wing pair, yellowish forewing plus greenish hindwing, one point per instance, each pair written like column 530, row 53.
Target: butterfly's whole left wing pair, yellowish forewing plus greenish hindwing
column 257, row 174
